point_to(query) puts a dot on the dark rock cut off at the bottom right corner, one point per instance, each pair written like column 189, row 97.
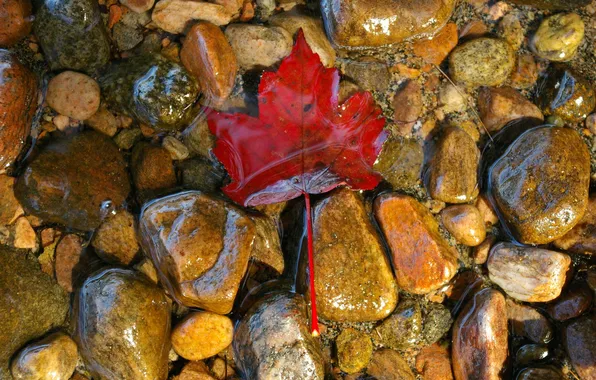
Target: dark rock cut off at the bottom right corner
column 578, row 339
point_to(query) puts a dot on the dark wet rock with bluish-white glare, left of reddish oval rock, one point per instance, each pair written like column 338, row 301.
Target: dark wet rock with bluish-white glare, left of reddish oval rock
column 152, row 89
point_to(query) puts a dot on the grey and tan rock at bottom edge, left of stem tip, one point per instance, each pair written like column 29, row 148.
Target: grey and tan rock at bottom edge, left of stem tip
column 273, row 341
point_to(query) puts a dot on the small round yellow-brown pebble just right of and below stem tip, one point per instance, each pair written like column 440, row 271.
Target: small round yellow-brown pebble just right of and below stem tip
column 354, row 350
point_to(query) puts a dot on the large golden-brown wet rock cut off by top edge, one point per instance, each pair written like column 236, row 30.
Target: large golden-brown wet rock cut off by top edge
column 369, row 23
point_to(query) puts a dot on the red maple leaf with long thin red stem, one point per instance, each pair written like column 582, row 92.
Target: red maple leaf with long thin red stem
column 303, row 141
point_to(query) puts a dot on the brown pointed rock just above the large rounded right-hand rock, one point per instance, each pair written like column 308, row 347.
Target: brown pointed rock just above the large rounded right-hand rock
column 500, row 105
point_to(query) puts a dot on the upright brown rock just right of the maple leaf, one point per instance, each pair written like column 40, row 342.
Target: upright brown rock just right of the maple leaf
column 452, row 176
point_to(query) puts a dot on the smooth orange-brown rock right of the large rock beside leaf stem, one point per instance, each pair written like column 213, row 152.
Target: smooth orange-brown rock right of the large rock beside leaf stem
column 422, row 258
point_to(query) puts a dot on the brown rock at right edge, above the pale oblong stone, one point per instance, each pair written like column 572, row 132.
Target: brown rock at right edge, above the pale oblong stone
column 581, row 238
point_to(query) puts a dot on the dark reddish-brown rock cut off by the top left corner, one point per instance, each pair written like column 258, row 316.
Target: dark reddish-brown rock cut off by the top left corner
column 16, row 21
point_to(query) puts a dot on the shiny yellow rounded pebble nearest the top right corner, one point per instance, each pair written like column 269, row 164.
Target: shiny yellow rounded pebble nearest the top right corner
column 558, row 37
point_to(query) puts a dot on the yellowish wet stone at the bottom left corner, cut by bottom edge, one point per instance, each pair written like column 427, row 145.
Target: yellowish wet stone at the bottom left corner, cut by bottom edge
column 52, row 358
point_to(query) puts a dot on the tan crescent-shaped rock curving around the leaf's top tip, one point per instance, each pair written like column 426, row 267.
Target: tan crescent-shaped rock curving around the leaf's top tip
column 314, row 32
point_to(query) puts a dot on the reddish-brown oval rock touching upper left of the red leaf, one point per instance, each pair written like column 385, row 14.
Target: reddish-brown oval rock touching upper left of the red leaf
column 208, row 56
